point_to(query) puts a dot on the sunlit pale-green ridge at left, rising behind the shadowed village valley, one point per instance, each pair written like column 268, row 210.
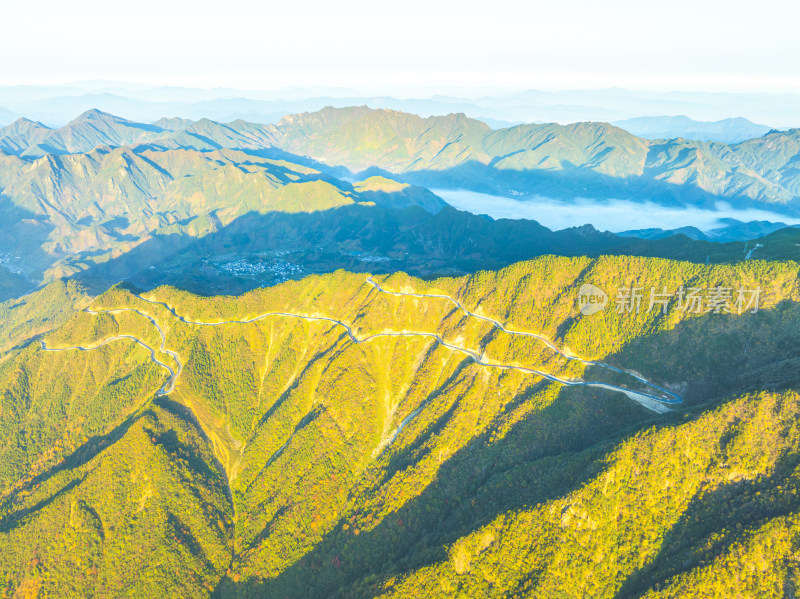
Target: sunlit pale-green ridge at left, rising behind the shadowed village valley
column 64, row 213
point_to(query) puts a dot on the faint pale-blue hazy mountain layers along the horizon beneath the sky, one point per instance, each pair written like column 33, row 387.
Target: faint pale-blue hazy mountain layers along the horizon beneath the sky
column 57, row 104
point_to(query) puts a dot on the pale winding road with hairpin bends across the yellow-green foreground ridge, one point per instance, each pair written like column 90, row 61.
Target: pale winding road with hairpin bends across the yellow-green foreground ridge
column 655, row 403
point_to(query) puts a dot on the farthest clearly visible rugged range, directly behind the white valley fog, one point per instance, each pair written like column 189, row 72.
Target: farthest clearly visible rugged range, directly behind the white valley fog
column 584, row 159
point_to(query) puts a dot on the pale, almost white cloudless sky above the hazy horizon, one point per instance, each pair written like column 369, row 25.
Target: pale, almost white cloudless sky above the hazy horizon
column 410, row 46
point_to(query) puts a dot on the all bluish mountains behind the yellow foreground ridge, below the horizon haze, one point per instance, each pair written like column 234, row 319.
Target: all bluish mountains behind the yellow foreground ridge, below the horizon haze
column 108, row 199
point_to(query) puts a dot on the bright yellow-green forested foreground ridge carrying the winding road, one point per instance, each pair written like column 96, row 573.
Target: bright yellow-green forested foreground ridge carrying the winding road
column 291, row 461
